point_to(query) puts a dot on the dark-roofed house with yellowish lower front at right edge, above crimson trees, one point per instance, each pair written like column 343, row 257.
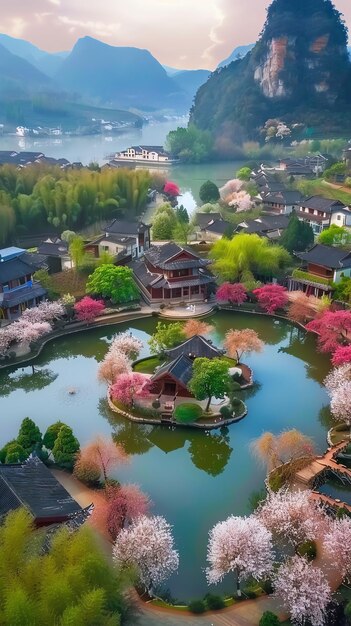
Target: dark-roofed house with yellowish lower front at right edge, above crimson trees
column 322, row 266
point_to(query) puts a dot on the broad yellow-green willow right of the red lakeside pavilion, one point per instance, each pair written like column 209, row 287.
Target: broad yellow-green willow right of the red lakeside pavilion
column 246, row 256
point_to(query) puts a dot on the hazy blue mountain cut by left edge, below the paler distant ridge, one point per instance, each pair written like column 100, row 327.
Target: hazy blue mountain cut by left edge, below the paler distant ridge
column 18, row 77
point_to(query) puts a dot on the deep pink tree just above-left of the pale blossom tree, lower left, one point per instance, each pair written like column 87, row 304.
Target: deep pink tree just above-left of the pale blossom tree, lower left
column 119, row 508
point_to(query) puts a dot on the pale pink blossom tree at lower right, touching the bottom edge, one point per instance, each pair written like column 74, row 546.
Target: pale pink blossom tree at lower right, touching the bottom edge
column 303, row 590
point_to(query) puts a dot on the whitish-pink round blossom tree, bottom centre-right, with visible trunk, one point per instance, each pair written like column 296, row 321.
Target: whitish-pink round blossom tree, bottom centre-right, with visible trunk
column 241, row 545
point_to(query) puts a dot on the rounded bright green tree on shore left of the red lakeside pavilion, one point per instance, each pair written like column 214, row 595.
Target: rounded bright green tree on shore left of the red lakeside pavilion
column 113, row 282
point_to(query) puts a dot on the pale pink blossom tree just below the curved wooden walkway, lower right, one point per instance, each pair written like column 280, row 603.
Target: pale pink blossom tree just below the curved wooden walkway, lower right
column 292, row 516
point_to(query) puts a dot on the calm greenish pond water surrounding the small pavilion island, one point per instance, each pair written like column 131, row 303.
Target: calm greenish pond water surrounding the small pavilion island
column 194, row 479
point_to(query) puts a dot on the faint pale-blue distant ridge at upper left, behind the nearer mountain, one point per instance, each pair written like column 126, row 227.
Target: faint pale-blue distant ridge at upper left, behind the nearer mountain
column 44, row 61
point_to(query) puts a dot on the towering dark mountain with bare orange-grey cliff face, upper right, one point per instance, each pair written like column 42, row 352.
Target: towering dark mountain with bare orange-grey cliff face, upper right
column 299, row 71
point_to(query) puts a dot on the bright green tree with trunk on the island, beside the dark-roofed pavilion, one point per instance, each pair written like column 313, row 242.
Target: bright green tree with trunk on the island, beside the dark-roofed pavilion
column 210, row 379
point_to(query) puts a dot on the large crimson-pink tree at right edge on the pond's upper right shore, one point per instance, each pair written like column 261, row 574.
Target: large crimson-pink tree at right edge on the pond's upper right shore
column 332, row 328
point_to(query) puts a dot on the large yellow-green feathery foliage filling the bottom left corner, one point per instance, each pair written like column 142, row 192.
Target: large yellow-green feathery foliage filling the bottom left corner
column 60, row 579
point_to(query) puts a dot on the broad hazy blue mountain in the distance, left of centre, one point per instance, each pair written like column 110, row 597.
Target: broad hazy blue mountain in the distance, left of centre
column 119, row 76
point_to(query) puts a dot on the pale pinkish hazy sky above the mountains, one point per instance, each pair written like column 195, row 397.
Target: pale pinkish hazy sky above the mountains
column 180, row 33
